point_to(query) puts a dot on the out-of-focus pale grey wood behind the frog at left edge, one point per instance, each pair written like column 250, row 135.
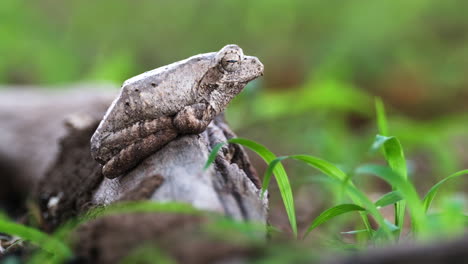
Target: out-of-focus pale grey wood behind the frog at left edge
column 32, row 120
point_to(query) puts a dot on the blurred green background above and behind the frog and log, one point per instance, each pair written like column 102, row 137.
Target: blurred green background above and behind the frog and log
column 325, row 61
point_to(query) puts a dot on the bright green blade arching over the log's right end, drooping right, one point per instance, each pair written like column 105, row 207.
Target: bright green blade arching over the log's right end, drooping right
column 279, row 172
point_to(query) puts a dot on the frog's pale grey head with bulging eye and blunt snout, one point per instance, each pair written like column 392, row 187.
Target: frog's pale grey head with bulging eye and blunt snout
column 235, row 66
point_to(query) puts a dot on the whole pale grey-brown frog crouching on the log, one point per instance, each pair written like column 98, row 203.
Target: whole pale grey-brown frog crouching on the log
column 155, row 107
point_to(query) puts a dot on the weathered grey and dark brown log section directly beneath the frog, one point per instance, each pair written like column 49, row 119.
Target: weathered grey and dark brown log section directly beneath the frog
column 230, row 186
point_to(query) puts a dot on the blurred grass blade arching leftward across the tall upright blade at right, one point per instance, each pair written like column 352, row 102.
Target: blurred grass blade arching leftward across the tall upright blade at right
column 406, row 189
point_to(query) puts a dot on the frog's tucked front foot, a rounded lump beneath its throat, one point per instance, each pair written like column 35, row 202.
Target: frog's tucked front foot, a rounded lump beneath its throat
column 194, row 119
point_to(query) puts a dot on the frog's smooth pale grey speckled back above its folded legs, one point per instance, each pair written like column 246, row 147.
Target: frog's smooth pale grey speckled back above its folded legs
column 160, row 92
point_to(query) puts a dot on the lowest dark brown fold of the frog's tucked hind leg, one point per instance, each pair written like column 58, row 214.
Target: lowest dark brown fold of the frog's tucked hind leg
column 133, row 154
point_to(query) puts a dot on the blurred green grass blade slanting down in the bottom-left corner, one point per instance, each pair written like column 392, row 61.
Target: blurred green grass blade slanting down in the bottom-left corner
column 36, row 237
